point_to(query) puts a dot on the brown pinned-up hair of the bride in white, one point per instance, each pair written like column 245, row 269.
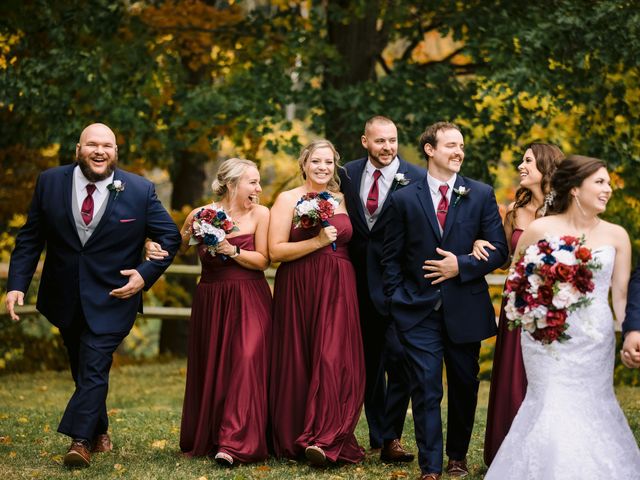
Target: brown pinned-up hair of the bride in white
column 570, row 174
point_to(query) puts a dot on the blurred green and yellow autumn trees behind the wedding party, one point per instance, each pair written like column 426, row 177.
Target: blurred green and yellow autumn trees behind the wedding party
column 186, row 83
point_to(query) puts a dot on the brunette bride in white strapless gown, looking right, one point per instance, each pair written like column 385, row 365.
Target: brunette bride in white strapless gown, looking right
column 570, row 425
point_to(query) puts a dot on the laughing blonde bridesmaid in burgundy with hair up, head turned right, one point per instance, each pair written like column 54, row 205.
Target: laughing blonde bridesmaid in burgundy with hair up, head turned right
column 225, row 403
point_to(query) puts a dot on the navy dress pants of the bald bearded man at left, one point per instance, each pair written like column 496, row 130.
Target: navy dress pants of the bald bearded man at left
column 90, row 358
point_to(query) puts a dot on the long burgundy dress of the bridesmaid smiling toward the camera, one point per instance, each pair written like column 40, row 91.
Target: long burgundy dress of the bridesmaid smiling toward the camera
column 317, row 371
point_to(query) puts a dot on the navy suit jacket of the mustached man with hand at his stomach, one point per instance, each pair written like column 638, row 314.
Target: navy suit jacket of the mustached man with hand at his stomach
column 412, row 236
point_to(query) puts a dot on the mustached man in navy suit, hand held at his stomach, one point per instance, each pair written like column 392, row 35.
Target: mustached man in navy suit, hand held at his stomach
column 437, row 293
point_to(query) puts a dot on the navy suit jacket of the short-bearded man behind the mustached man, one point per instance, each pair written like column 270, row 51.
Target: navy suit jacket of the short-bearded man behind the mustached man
column 365, row 247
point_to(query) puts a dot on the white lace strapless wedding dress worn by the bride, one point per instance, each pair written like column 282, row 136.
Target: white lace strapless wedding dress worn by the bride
column 570, row 425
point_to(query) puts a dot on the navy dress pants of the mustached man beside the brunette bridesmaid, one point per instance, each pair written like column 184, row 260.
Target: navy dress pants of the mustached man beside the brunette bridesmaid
column 427, row 344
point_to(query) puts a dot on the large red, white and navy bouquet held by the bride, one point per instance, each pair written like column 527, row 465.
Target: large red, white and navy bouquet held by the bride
column 549, row 281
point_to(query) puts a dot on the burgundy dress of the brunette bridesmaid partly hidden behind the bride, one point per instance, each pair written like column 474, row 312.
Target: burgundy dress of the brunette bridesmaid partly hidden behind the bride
column 508, row 380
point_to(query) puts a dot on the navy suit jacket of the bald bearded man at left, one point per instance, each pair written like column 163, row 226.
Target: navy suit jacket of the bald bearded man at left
column 75, row 273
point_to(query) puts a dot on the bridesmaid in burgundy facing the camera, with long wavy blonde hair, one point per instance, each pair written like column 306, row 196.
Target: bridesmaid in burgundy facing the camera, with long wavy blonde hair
column 316, row 388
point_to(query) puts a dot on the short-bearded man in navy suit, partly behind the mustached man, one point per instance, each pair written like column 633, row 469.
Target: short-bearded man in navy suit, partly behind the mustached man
column 368, row 184
